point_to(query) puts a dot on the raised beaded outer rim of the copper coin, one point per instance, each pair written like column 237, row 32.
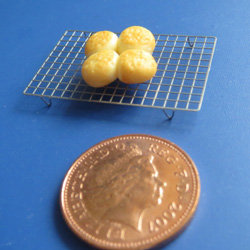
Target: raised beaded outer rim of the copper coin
column 166, row 235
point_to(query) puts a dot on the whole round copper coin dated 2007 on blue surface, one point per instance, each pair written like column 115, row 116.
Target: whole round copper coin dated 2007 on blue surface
column 130, row 192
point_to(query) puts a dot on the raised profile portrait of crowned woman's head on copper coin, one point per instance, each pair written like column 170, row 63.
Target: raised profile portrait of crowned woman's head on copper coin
column 121, row 190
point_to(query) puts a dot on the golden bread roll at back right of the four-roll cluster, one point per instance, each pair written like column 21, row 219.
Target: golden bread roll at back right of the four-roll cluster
column 136, row 37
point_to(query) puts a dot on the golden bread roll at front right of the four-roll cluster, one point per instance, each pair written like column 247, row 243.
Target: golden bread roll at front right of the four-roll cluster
column 136, row 66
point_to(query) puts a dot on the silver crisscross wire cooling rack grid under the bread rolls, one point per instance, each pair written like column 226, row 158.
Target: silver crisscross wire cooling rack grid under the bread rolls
column 179, row 84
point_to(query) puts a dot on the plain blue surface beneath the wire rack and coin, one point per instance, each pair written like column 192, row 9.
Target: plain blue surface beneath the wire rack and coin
column 38, row 144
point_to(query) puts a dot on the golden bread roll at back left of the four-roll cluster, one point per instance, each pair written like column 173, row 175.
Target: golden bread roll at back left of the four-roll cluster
column 100, row 41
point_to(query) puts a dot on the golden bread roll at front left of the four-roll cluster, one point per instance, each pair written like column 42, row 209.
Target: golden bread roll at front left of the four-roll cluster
column 100, row 69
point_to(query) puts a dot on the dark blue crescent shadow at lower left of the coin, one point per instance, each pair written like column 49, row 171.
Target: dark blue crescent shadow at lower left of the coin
column 64, row 233
